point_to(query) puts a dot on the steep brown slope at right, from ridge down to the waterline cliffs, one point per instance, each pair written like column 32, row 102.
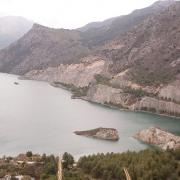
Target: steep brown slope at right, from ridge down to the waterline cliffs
column 145, row 66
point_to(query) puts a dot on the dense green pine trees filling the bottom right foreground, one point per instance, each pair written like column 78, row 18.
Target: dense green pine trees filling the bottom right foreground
column 143, row 165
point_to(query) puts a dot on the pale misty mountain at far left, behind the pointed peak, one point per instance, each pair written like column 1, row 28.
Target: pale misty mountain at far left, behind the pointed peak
column 12, row 28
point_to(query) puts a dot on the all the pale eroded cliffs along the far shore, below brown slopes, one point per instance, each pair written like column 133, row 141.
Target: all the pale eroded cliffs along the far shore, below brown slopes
column 111, row 90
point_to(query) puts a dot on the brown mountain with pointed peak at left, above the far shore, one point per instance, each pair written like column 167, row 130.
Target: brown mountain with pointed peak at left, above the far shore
column 42, row 47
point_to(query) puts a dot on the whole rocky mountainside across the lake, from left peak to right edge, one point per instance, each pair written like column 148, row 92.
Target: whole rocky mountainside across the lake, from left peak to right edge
column 136, row 69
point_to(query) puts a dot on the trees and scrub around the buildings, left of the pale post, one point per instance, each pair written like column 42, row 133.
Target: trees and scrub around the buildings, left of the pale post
column 29, row 165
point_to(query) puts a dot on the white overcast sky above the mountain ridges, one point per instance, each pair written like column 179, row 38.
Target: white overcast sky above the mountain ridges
column 69, row 13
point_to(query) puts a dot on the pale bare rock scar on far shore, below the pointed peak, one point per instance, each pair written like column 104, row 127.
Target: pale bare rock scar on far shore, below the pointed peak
column 79, row 75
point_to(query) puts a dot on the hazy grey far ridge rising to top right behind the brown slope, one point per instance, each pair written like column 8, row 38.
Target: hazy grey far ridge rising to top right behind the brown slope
column 100, row 32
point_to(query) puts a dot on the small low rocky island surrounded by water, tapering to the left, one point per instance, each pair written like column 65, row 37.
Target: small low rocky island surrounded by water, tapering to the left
column 100, row 133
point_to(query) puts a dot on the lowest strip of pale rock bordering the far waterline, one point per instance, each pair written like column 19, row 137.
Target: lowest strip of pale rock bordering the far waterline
column 116, row 97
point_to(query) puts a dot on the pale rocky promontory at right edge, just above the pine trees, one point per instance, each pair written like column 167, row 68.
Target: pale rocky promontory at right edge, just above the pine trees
column 159, row 137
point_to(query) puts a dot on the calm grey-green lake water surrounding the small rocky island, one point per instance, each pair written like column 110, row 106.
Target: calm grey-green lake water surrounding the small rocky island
column 36, row 116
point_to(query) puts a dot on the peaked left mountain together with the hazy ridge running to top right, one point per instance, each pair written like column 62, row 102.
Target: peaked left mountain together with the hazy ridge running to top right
column 42, row 47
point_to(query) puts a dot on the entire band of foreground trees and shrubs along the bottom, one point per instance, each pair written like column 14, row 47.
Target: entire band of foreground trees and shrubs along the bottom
column 143, row 165
